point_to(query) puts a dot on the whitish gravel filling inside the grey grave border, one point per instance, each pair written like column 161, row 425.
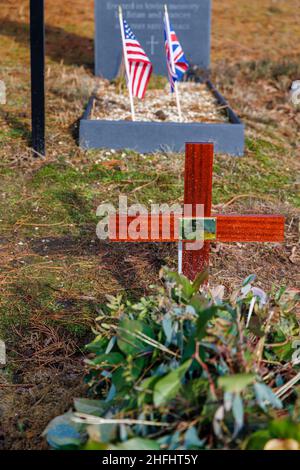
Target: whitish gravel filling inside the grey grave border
column 197, row 102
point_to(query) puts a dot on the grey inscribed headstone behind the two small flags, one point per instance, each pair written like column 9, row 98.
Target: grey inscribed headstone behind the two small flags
column 191, row 19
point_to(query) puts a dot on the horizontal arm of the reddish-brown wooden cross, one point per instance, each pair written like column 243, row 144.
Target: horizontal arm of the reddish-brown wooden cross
column 165, row 228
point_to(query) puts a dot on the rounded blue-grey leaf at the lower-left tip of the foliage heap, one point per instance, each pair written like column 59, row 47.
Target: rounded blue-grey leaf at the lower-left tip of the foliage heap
column 63, row 434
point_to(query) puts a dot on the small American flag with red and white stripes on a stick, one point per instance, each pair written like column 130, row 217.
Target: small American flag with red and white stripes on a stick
column 140, row 67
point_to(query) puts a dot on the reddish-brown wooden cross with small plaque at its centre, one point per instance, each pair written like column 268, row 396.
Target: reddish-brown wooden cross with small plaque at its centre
column 224, row 228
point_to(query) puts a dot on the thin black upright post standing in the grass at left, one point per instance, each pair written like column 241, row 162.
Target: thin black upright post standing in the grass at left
column 37, row 53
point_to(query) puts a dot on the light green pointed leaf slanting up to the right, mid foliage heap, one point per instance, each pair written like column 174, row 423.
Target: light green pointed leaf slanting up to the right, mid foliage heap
column 167, row 388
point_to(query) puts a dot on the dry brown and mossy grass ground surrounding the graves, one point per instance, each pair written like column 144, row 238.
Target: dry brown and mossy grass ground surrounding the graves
column 54, row 275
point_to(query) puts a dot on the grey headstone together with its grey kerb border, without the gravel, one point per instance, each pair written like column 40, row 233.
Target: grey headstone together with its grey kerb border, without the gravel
column 191, row 19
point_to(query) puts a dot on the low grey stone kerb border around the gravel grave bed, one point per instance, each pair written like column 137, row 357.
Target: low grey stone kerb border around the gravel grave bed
column 148, row 137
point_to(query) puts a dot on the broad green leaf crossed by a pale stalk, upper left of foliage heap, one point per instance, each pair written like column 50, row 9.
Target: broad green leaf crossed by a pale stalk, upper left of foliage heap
column 127, row 341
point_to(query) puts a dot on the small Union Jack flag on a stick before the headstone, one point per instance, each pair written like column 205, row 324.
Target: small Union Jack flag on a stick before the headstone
column 178, row 58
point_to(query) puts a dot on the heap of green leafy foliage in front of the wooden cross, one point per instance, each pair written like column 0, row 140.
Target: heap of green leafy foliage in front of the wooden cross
column 186, row 369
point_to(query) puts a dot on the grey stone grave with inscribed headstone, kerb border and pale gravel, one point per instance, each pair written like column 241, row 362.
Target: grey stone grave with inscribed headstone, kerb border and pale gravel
column 206, row 114
